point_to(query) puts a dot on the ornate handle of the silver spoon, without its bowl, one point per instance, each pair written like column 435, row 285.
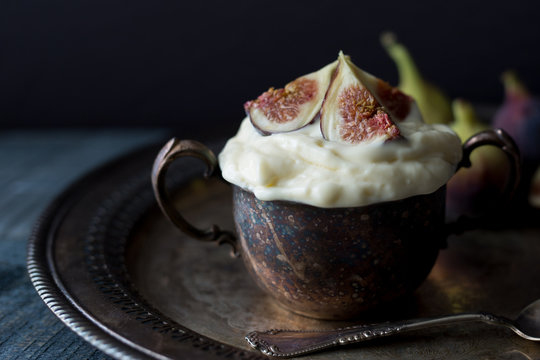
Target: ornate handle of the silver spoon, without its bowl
column 290, row 343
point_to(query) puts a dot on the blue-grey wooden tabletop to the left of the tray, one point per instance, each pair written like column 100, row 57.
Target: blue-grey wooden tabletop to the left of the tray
column 35, row 166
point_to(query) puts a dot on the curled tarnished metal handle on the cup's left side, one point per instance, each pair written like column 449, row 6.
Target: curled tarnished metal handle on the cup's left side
column 173, row 150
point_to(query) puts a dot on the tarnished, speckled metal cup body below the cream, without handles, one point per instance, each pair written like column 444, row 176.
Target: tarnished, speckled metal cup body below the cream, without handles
column 337, row 263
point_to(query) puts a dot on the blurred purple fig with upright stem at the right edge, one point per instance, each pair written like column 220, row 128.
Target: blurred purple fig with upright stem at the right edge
column 519, row 115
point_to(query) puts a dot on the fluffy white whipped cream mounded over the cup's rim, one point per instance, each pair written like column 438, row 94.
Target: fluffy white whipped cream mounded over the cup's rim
column 301, row 166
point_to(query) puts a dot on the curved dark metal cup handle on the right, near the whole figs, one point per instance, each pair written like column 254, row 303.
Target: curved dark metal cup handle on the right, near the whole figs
column 500, row 139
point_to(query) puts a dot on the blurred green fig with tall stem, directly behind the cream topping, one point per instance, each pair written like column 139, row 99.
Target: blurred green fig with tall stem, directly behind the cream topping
column 434, row 105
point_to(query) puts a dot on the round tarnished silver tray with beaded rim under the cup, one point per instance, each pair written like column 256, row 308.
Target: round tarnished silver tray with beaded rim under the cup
column 107, row 263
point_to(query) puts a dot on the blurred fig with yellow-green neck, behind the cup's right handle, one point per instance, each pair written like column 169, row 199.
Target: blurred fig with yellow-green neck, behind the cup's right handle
column 476, row 190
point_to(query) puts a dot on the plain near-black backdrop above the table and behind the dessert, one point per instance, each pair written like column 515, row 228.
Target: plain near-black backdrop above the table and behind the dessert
column 191, row 65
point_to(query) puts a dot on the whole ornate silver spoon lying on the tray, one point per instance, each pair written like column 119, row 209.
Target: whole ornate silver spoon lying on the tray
column 290, row 343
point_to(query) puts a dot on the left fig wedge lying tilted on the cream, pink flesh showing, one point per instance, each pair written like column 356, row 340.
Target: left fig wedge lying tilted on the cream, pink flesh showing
column 292, row 107
